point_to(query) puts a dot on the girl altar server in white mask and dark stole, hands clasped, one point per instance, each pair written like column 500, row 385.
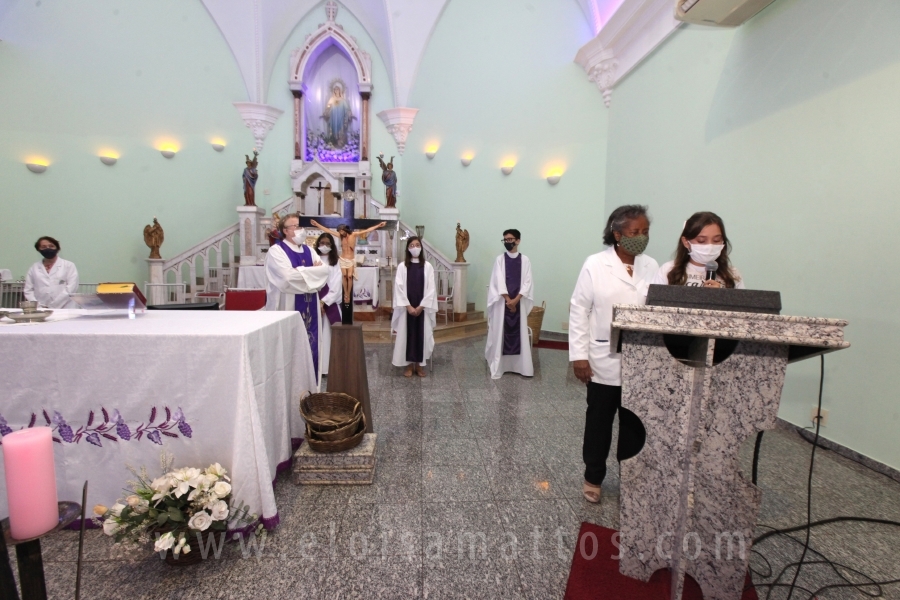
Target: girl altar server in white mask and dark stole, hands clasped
column 415, row 308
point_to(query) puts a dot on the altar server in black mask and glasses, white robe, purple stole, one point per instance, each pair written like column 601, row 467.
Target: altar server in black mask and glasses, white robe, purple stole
column 510, row 298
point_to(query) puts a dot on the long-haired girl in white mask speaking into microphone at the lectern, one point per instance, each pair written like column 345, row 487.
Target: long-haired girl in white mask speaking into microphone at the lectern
column 703, row 242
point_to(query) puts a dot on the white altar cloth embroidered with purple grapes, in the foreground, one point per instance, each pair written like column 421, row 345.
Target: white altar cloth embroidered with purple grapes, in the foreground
column 207, row 386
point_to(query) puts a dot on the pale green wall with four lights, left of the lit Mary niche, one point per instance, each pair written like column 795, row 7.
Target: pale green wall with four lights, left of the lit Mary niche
column 76, row 77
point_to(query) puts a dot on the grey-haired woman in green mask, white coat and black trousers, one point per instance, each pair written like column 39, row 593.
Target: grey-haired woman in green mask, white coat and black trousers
column 620, row 274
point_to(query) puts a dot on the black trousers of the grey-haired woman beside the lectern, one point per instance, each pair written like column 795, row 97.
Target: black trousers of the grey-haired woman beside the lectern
column 603, row 402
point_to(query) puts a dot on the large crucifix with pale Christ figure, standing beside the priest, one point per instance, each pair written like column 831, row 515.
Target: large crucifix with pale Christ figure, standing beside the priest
column 347, row 229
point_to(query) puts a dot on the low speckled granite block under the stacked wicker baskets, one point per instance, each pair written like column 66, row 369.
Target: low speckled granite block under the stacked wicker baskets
column 350, row 467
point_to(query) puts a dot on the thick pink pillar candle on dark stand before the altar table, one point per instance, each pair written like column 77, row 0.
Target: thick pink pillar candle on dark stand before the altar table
column 30, row 482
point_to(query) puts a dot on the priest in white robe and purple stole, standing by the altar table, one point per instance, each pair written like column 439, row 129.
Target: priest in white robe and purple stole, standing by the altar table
column 293, row 279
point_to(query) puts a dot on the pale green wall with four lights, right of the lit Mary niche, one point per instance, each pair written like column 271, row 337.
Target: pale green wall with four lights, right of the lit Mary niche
column 498, row 79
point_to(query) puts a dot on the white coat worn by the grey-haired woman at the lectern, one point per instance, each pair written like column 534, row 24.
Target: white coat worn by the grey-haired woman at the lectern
column 604, row 281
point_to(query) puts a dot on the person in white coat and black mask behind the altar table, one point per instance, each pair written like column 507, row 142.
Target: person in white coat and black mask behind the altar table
column 53, row 280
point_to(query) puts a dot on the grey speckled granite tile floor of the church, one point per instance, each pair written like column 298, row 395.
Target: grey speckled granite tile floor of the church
column 478, row 495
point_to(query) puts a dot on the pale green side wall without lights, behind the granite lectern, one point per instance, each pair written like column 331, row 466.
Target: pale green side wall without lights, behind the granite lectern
column 787, row 127
